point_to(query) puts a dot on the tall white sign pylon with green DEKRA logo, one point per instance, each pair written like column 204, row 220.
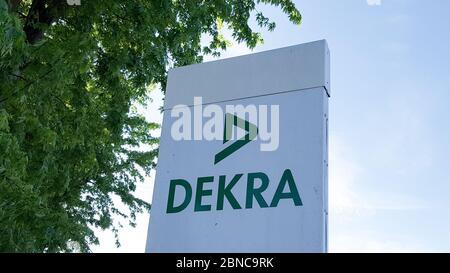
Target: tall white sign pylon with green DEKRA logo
column 243, row 155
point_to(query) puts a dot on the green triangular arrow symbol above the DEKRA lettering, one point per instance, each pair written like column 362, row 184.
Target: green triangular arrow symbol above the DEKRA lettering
column 230, row 121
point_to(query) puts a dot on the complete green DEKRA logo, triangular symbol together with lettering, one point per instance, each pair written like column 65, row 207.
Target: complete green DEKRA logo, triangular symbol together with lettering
column 257, row 182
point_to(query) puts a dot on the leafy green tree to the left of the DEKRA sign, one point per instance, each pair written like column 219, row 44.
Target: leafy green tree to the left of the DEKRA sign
column 69, row 78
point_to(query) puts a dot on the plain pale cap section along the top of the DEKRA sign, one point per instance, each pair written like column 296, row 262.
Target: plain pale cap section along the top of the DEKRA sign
column 268, row 72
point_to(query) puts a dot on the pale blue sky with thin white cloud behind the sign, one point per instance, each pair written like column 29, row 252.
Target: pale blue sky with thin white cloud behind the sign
column 389, row 135
